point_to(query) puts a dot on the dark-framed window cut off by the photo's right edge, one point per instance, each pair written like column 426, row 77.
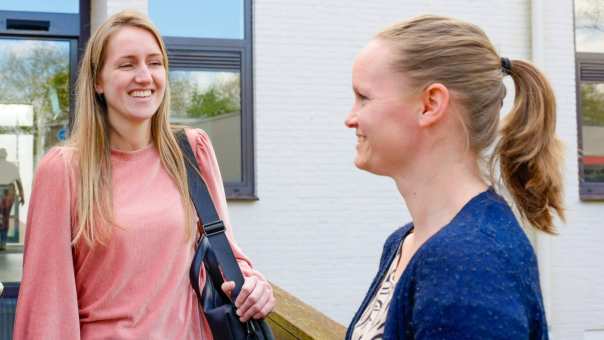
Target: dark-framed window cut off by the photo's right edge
column 589, row 37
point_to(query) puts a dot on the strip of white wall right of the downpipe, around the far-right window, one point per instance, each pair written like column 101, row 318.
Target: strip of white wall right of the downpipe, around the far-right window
column 576, row 255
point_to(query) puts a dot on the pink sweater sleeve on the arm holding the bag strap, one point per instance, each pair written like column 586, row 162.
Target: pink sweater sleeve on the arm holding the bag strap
column 208, row 165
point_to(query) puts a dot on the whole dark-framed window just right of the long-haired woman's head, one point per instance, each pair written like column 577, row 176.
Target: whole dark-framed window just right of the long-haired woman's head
column 211, row 79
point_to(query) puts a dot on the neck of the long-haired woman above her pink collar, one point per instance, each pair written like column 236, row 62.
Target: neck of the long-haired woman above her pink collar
column 128, row 136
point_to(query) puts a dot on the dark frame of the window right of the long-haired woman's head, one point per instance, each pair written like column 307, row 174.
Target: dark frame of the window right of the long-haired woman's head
column 211, row 54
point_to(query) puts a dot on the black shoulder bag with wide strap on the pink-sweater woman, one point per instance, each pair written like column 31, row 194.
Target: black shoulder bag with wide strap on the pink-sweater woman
column 215, row 253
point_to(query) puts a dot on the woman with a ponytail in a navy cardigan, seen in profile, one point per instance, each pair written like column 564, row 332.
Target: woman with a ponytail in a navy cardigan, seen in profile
column 428, row 95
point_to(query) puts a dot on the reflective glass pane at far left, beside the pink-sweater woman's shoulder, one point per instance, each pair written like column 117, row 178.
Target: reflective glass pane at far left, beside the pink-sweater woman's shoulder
column 34, row 115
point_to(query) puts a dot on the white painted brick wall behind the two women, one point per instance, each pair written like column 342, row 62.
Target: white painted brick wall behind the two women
column 319, row 225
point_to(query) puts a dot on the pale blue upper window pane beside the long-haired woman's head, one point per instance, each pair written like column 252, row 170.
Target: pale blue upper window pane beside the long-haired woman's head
column 198, row 18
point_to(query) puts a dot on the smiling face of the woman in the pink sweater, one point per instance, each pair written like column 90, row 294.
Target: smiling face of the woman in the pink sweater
column 133, row 76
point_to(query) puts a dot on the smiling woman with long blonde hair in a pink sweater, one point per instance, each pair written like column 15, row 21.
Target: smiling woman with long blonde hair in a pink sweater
column 110, row 232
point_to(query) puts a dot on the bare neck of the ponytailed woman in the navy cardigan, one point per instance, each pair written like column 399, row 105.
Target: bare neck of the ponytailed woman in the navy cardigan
column 435, row 194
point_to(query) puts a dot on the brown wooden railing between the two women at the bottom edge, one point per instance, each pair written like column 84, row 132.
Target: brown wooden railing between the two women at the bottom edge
column 293, row 319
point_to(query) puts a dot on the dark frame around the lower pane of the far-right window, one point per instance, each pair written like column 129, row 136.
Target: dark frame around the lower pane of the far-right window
column 590, row 69
